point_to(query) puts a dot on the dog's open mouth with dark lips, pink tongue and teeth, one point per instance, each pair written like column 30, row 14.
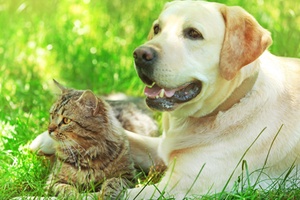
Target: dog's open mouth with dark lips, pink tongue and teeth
column 164, row 99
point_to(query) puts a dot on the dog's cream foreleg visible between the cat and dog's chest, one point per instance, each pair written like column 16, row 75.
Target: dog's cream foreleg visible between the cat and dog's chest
column 143, row 150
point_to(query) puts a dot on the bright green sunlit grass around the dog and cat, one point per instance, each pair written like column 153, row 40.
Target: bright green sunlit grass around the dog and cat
column 88, row 44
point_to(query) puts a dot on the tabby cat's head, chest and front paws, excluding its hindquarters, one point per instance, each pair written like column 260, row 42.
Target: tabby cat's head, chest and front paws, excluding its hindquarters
column 92, row 151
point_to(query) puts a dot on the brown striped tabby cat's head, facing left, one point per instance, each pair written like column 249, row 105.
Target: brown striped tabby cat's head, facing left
column 78, row 117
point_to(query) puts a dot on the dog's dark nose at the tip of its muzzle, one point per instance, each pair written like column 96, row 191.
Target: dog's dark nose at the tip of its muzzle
column 144, row 56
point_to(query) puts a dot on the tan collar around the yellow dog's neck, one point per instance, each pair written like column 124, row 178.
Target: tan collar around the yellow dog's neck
column 237, row 94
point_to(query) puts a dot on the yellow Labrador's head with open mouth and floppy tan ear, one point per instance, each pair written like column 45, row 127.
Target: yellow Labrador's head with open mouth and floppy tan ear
column 195, row 53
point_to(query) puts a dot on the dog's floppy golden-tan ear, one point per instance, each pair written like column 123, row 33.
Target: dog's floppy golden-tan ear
column 244, row 41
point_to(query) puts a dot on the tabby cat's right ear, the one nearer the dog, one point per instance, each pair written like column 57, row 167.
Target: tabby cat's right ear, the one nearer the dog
column 88, row 100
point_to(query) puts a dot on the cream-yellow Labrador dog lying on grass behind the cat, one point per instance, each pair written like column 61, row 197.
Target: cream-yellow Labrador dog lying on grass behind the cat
column 228, row 103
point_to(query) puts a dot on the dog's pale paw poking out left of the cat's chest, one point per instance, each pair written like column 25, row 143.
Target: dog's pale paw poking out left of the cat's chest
column 43, row 144
